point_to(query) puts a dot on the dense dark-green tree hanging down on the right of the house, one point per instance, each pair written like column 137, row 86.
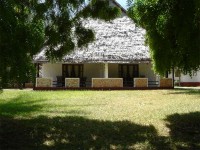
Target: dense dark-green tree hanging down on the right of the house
column 172, row 32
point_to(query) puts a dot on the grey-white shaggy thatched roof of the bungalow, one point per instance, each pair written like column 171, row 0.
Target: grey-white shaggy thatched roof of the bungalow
column 117, row 41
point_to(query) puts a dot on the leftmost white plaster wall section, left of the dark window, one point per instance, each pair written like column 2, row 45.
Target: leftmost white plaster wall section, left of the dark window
column 51, row 70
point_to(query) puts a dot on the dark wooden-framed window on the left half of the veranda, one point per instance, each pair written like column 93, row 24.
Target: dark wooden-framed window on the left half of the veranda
column 72, row 70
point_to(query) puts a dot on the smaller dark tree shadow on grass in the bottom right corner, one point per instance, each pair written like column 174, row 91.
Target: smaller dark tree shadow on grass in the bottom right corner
column 185, row 130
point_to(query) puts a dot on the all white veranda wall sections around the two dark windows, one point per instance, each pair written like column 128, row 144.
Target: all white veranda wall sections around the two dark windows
column 95, row 70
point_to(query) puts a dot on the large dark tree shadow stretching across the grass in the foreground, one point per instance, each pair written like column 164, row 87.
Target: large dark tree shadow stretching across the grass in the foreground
column 77, row 133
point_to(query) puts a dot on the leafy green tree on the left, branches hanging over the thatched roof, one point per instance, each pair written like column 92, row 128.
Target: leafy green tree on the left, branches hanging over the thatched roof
column 27, row 26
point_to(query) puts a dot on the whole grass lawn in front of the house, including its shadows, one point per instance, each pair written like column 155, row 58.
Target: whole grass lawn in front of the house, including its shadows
column 152, row 119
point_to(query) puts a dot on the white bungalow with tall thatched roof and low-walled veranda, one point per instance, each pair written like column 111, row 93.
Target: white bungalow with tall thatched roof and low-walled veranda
column 117, row 58
